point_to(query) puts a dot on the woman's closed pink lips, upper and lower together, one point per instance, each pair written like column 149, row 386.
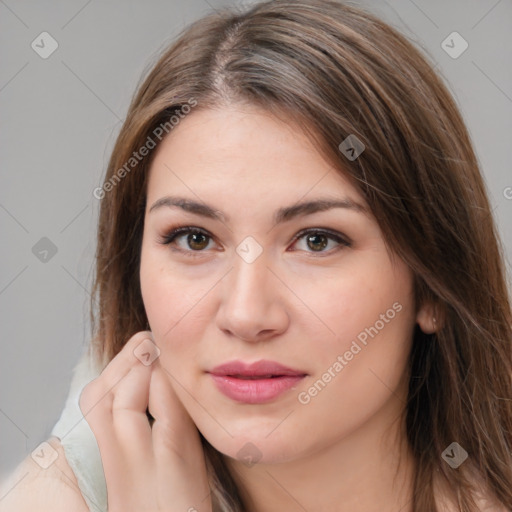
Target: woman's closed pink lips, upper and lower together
column 254, row 383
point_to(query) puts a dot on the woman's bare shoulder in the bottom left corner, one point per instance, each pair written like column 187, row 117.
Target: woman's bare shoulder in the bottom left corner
column 45, row 485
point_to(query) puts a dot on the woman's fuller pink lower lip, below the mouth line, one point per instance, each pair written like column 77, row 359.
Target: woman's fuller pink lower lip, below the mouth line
column 255, row 391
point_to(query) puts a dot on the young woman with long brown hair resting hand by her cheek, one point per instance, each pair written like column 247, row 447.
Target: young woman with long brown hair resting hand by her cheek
column 302, row 301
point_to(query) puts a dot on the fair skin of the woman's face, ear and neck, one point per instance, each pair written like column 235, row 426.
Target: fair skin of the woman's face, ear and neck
column 294, row 305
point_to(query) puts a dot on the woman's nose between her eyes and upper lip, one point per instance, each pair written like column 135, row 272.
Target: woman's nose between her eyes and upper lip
column 252, row 307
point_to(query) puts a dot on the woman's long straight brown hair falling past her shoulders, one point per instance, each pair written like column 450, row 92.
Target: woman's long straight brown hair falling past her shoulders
column 336, row 70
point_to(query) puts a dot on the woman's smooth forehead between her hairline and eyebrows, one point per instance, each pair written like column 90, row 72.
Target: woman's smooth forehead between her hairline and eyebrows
column 244, row 150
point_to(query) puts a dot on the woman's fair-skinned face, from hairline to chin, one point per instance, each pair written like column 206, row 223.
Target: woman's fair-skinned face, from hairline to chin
column 329, row 305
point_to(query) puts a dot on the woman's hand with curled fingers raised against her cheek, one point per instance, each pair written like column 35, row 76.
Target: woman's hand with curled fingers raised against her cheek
column 147, row 468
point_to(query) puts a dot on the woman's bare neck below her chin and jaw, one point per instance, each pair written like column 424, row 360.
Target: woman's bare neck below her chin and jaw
column 370, row 469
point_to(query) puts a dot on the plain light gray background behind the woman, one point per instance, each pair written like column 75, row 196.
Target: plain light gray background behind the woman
column 60, row 116
